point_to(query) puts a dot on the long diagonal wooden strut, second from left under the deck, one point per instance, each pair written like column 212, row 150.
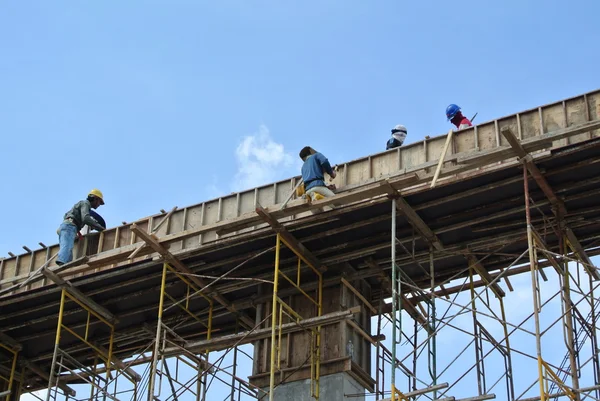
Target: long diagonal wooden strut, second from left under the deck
column 178, row 265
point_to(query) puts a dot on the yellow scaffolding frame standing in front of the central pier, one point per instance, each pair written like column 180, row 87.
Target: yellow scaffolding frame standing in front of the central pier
column 281, row 308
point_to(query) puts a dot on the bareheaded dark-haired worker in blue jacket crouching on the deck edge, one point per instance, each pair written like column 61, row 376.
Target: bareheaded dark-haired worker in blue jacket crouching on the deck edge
column 313, row 169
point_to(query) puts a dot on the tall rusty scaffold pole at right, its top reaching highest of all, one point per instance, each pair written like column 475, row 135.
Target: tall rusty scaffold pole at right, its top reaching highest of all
column 534, row 288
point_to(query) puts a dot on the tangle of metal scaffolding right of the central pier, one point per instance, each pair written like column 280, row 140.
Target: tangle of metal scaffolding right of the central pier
column 551, row 378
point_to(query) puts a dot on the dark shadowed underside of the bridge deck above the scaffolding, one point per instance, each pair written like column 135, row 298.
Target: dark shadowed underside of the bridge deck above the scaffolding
column 481, row 215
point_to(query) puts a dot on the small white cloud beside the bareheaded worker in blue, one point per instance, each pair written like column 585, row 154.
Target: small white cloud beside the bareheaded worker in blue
column 261, row 160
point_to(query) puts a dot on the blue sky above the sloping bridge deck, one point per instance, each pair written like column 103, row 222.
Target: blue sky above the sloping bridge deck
column 163, row 104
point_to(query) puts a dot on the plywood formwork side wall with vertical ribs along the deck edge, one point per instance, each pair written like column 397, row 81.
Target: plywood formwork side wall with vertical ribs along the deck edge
column 473, row 143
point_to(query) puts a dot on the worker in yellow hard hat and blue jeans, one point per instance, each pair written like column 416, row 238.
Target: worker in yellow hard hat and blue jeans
column 74, row 220
